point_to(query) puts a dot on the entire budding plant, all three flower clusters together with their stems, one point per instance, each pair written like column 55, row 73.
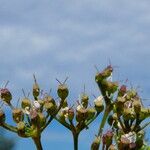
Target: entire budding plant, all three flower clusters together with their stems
column 121, row 107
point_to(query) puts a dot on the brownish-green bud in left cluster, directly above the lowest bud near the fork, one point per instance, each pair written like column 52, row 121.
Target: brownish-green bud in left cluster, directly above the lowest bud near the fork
column 17, row 115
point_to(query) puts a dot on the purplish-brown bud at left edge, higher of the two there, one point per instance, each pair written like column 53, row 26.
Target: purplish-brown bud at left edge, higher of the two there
column 6, row 95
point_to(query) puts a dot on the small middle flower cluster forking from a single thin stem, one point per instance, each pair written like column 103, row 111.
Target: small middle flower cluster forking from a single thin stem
column 79, row 116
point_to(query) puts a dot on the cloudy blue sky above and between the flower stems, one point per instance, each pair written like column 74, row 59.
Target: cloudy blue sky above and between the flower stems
column 60, row 38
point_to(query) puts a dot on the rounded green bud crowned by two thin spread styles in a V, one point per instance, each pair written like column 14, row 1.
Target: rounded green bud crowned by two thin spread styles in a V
column 62, row 91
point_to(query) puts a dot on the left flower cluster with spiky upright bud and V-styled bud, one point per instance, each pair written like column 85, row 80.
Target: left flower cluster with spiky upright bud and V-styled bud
column 34, row 115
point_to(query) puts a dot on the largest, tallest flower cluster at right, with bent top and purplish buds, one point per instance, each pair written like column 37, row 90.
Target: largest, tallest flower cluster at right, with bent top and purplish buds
column 124, row 112
